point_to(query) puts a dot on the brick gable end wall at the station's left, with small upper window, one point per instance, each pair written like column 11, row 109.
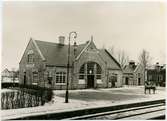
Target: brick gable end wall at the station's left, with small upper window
column 38, row 65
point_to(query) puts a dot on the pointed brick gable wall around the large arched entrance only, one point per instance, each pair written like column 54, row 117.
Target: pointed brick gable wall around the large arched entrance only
column 89, row 55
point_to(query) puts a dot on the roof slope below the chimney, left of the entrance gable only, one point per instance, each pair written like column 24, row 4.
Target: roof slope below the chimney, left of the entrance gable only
column 56, row 54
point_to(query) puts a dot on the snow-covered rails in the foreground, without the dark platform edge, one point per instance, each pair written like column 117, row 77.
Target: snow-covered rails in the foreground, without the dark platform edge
column 148, row 111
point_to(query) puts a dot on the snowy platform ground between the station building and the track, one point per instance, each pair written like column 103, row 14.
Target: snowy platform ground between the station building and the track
column 87, row 98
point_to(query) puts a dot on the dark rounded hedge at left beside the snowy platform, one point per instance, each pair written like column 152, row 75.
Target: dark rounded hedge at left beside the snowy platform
column 35, row 95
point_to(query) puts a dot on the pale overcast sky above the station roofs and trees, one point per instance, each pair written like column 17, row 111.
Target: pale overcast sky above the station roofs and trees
column 129, row 26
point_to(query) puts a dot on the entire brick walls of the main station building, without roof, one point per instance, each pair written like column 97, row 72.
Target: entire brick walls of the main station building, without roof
column 47, row 74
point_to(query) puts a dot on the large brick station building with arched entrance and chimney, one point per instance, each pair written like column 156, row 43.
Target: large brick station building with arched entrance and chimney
column 45, row 64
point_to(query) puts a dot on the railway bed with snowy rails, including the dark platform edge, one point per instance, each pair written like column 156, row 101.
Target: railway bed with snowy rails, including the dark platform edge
column 138, row 110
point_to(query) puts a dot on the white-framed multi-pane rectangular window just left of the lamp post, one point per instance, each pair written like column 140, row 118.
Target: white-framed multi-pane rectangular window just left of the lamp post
column 60, row 77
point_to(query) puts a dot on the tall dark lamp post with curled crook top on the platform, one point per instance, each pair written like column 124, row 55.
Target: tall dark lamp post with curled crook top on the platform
column 68, row 63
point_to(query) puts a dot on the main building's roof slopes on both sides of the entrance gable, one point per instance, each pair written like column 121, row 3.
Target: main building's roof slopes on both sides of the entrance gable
column 56, row 54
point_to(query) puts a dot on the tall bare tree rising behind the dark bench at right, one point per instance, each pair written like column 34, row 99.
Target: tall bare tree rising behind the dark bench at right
column 144, row 59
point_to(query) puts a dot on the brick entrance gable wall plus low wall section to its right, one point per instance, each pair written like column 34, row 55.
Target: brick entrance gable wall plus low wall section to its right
column 91, row 55
